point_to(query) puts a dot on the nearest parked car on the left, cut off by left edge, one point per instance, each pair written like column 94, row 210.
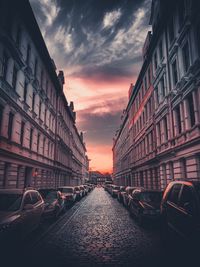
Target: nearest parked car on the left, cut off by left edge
column 20, row 212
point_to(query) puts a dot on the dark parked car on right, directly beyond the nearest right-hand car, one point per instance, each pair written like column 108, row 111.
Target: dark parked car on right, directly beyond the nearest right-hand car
column 145, row 204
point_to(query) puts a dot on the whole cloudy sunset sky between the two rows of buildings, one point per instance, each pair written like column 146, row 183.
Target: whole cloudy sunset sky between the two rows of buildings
column 98, row 44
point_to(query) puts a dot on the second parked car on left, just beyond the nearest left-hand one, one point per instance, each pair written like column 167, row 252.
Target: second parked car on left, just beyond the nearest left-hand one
column 54, row 202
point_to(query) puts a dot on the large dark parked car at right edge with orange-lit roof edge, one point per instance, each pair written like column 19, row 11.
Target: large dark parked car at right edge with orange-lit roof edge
column 180, row 211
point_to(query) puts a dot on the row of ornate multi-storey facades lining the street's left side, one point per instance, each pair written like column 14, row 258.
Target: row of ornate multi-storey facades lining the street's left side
column 39, row 142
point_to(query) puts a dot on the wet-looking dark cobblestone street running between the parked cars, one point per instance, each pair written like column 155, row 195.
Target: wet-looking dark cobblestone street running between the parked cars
column 99, row 232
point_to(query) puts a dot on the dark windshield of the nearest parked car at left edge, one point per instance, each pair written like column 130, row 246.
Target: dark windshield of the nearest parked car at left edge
column 10, row 202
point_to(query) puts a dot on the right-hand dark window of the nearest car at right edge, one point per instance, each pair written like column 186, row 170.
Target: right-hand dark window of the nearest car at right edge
column 187, row 199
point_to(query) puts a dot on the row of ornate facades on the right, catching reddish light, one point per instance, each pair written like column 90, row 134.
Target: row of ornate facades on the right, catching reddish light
column 159, row 137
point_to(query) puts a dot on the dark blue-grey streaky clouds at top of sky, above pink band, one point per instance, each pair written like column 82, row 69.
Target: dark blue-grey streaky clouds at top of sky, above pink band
column 95, row 36
